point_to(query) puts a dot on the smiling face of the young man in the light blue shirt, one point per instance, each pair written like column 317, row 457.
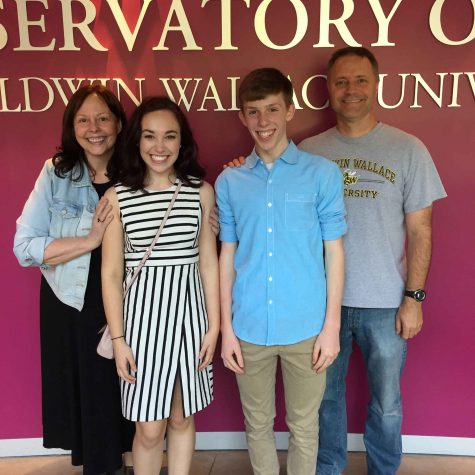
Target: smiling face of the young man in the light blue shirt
column 266, row 120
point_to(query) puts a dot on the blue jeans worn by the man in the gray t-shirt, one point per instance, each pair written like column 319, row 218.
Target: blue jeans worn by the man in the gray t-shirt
column 384, row 353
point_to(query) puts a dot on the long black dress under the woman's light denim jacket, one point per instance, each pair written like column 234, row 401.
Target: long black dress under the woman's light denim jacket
column 80, row 390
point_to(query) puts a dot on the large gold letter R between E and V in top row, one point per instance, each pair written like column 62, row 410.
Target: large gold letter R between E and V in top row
column 82, row 26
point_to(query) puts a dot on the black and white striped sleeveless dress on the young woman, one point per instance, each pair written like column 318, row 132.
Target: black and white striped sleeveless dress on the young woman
column 164, row 312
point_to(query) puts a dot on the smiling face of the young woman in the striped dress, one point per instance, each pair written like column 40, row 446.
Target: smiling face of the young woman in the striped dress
column 159, row 146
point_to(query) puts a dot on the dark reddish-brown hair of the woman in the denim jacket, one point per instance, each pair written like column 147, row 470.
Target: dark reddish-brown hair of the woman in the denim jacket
column 70, row 153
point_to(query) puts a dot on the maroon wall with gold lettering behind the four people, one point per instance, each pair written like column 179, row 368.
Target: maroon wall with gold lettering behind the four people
column 196, row 52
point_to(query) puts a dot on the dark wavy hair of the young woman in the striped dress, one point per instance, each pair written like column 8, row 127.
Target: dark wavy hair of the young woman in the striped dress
column 133, row 170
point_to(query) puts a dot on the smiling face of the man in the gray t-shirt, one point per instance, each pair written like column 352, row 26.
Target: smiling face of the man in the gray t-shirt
column 352, row 87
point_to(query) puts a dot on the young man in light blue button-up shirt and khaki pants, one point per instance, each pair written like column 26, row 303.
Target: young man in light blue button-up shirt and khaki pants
column 282, row 219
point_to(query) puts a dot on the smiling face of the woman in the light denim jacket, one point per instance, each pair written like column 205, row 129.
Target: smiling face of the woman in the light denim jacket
column 96, row 129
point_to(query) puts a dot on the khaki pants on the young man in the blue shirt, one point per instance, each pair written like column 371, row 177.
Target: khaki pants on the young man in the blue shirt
column 303, row 393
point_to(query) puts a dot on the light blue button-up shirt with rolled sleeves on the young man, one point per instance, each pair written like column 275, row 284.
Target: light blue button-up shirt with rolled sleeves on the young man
column 280, row 219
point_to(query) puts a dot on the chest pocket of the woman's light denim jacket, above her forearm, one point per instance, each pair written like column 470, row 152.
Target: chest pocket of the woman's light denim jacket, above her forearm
column 69, row 220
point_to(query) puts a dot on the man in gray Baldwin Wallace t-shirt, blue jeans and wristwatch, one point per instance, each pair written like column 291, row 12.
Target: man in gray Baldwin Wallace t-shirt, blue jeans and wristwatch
column 390, row 185
